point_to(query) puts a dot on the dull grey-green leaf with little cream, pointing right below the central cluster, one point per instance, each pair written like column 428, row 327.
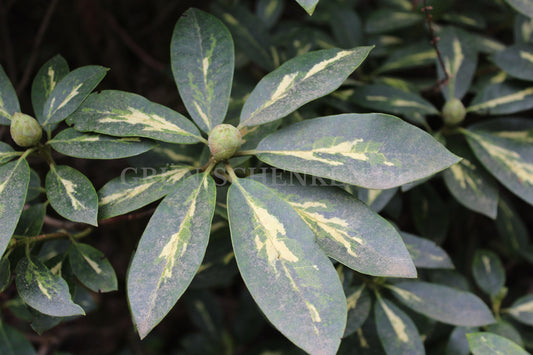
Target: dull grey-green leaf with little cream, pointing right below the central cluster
column 443, row 303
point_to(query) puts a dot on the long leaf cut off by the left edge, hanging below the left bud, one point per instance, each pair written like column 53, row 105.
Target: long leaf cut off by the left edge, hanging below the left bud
column 14, row 177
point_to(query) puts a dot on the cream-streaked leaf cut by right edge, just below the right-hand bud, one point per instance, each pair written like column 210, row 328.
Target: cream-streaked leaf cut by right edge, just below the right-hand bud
column 504, row 147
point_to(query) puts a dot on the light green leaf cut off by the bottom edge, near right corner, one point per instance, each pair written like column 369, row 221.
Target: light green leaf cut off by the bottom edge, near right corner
column 487, row 343
